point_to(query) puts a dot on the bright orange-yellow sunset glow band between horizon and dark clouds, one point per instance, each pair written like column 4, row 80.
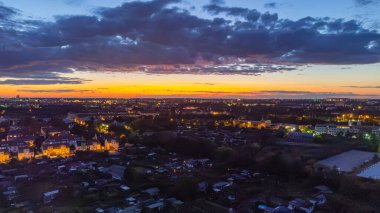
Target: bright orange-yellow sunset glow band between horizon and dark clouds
column 139, row 84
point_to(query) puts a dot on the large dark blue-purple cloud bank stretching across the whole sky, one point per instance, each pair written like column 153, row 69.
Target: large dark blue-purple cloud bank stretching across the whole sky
column 172, row 40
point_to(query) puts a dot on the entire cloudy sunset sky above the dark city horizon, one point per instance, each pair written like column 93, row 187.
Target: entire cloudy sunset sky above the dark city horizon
column 182, row 48
